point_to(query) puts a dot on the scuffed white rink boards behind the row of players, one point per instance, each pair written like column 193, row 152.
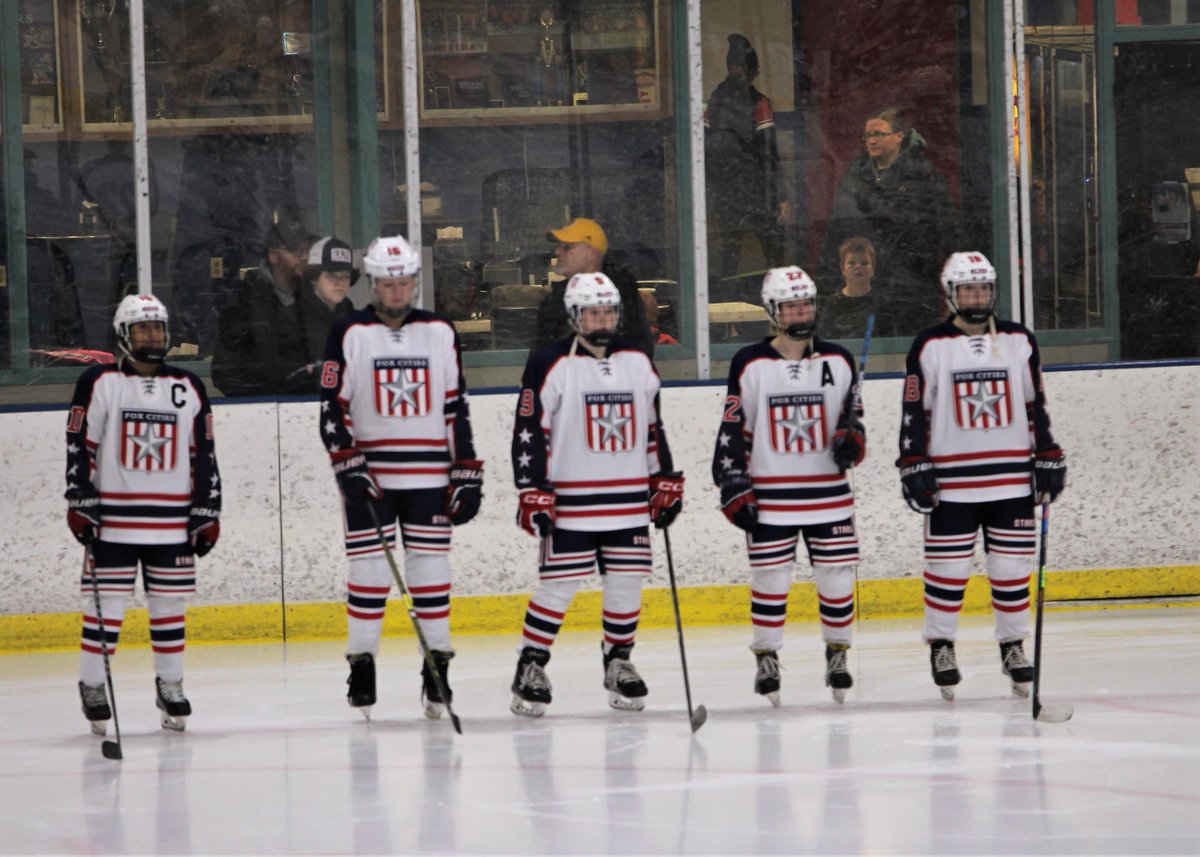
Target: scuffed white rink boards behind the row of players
column 1132, row 438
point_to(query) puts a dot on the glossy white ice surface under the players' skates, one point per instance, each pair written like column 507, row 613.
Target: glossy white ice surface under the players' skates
column 274, row 762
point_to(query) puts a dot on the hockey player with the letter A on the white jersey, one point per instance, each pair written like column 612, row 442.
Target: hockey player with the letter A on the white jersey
column 787, row 440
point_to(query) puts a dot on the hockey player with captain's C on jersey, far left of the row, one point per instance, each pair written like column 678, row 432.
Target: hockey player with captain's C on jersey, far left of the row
column 143, row 488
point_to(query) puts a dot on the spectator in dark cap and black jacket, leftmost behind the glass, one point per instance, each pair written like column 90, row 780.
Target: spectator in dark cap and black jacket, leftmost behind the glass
column 260, row 338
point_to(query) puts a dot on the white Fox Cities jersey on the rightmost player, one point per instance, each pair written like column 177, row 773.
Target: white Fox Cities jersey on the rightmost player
column 977, row 410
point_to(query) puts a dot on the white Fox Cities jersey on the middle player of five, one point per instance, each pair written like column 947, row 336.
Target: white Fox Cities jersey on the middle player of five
column 590, row 429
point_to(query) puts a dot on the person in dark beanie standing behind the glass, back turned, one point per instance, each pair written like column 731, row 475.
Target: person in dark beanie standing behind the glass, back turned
column 747, row 193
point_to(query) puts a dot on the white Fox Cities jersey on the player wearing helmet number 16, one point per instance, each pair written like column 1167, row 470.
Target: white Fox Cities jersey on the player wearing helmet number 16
column 399, row 395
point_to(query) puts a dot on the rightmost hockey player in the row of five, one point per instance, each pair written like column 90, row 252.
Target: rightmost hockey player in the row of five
column 975, row 450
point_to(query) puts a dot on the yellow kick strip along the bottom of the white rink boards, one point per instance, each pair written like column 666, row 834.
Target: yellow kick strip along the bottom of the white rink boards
column 703, row 606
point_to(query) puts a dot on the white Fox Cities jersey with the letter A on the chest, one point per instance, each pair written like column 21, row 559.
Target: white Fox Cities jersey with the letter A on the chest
column 779, row 422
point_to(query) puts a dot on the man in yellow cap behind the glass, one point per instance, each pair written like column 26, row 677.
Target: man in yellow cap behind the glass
column 583, row 248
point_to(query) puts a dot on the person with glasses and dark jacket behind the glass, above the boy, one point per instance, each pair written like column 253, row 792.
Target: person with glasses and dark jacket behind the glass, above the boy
column 895, row 197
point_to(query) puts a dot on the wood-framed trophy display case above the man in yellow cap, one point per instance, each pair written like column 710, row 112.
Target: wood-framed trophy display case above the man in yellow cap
column 512, row 61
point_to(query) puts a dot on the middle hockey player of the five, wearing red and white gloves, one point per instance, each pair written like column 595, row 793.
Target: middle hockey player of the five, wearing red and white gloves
column 593, row 470
